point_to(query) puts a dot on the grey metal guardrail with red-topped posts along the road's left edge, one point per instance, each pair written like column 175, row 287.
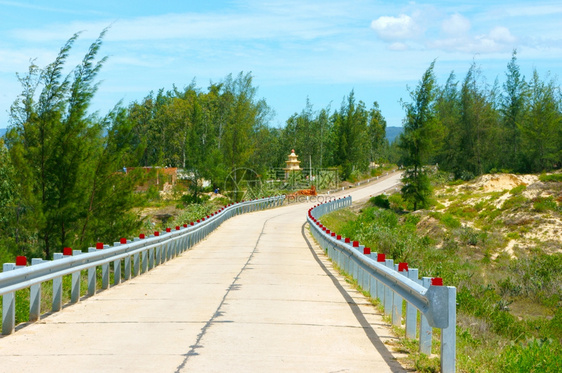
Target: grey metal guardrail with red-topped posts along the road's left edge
column 139, row 256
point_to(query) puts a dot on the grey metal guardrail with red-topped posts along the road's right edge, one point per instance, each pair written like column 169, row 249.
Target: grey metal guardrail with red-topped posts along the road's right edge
column 392, row 284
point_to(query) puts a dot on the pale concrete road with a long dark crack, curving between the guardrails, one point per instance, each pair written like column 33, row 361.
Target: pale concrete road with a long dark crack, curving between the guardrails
column 255, row 296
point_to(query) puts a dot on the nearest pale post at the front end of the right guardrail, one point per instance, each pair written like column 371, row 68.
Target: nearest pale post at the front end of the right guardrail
column 449, row 334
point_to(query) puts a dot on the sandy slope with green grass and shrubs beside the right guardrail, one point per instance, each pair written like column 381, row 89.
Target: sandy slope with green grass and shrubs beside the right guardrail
column 497, row 239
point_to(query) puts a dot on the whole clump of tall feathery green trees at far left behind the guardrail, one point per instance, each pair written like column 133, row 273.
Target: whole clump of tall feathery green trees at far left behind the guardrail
column 69, row 191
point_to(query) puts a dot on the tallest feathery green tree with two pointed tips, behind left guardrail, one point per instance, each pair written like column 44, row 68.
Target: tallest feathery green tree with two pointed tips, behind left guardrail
column 50, row 139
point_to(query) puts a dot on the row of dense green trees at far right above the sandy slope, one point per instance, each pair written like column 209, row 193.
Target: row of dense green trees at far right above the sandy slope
column 521, row 118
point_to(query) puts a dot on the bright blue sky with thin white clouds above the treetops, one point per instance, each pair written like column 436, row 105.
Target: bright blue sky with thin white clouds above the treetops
column 295, row 49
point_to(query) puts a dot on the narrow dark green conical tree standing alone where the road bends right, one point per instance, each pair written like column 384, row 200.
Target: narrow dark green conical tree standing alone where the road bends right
column 417, row 140
